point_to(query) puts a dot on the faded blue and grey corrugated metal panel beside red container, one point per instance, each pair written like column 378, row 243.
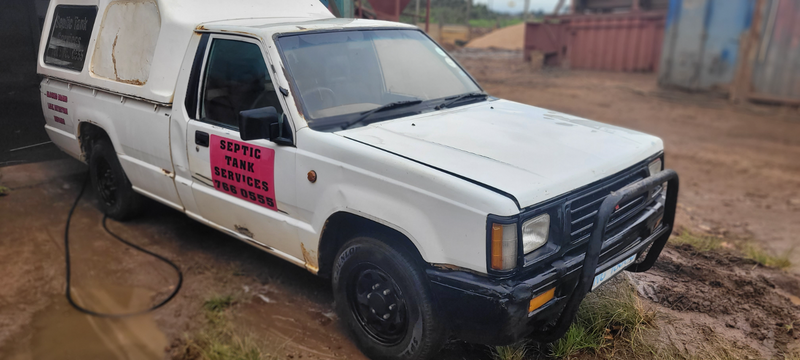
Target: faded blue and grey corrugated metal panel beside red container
column 701, row 45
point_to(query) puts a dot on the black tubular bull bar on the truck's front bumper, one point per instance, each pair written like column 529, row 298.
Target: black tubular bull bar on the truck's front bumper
column 607, row 209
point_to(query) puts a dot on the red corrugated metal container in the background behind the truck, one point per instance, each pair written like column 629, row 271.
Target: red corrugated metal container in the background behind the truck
column 615, row 42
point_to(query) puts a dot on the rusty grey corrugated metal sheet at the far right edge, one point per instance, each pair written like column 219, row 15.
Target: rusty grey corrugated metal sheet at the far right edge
column 776, row 71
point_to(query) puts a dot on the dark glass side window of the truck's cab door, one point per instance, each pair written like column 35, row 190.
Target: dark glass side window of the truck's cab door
column 236, row 79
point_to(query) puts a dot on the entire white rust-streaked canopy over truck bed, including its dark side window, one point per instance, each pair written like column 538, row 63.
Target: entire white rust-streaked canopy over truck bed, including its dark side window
column 136, row 47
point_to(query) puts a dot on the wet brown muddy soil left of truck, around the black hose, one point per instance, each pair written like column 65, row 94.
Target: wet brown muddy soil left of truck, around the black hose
column 275, row 300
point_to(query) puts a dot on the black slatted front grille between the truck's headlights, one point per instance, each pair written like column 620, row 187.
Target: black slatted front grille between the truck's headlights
column 583, row 209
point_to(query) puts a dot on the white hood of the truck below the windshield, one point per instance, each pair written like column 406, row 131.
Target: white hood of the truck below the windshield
column 527, row 152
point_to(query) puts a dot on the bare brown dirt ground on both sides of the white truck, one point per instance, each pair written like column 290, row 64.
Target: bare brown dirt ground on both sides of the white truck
column 740, row 180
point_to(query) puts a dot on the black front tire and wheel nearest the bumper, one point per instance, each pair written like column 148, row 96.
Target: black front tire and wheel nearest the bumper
column 369, row 276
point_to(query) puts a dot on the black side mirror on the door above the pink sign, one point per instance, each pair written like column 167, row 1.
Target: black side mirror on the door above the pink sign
column 264, row 123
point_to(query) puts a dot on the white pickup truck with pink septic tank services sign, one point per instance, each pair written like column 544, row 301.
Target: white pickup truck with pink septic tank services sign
column 361, row 151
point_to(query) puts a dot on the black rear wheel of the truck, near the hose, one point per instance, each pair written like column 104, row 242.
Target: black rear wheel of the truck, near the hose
column 115, row 195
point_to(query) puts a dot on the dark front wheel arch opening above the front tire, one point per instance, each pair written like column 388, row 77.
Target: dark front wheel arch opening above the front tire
column 343, row 226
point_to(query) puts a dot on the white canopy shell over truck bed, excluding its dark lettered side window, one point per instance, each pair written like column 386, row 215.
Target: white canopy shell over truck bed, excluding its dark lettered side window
column 137, row 46
